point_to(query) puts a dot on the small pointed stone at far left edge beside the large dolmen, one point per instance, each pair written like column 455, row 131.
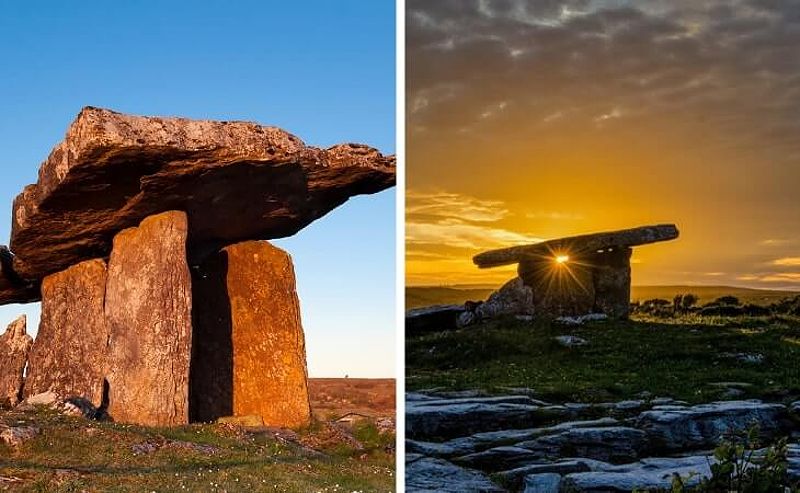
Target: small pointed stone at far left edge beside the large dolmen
column 15, row 344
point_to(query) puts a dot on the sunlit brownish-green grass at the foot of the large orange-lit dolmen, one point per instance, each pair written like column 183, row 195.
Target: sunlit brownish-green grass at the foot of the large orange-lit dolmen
column 77, row 455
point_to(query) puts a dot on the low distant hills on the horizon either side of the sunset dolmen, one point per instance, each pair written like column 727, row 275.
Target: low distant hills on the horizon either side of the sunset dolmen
column 419, row 296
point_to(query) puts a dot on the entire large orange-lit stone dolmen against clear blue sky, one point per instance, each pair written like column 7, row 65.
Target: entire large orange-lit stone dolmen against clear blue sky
column 162, row 302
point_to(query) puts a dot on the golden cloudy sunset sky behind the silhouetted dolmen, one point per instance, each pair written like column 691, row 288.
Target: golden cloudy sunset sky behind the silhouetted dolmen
column 532, row 120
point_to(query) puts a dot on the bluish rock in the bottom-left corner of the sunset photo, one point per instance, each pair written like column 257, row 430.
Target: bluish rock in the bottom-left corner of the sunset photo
column 426, row 475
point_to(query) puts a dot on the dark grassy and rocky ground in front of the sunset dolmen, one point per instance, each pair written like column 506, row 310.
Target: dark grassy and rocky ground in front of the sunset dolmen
column 541, row 406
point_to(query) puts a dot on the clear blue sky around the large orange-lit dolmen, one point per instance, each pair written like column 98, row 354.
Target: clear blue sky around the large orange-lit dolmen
column 322, row 70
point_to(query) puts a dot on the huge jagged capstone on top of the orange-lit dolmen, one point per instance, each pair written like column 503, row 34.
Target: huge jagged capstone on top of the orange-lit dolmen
column 237, row 181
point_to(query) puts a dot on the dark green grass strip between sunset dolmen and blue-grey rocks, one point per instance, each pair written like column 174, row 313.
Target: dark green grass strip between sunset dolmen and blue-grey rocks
column 681, row 358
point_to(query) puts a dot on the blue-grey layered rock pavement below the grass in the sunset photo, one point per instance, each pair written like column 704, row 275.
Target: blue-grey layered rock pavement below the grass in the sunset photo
column 466, row 442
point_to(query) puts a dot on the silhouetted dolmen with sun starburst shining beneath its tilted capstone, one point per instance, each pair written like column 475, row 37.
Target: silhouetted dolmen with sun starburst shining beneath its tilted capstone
column 569, row 276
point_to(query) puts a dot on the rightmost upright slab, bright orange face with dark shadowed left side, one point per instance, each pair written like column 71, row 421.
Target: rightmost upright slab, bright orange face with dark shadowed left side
column 250, row 356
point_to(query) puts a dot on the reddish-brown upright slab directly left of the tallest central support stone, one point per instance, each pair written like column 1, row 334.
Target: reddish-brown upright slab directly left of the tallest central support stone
column 69, row 355
